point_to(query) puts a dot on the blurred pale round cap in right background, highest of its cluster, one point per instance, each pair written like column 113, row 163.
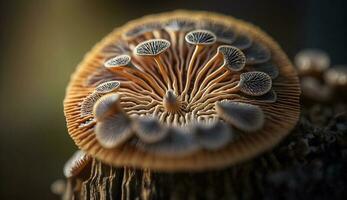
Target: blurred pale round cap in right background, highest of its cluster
column 312, row 62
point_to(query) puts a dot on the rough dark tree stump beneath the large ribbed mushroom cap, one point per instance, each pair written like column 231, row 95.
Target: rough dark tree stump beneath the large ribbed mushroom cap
column 308, row 164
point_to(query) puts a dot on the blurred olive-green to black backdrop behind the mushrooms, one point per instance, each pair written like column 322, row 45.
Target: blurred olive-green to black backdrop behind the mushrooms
column 43, row 41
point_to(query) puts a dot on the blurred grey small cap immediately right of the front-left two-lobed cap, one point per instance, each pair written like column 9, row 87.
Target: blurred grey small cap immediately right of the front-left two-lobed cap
column 149, row 129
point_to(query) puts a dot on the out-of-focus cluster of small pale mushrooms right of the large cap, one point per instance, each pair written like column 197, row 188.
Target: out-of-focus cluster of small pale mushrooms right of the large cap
column 320, row 81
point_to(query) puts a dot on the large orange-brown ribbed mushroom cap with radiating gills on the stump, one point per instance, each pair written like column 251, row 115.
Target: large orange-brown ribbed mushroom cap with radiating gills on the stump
column 142, row 91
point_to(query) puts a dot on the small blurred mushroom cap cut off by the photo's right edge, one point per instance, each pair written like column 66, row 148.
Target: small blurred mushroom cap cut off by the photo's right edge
column 336, row 76
